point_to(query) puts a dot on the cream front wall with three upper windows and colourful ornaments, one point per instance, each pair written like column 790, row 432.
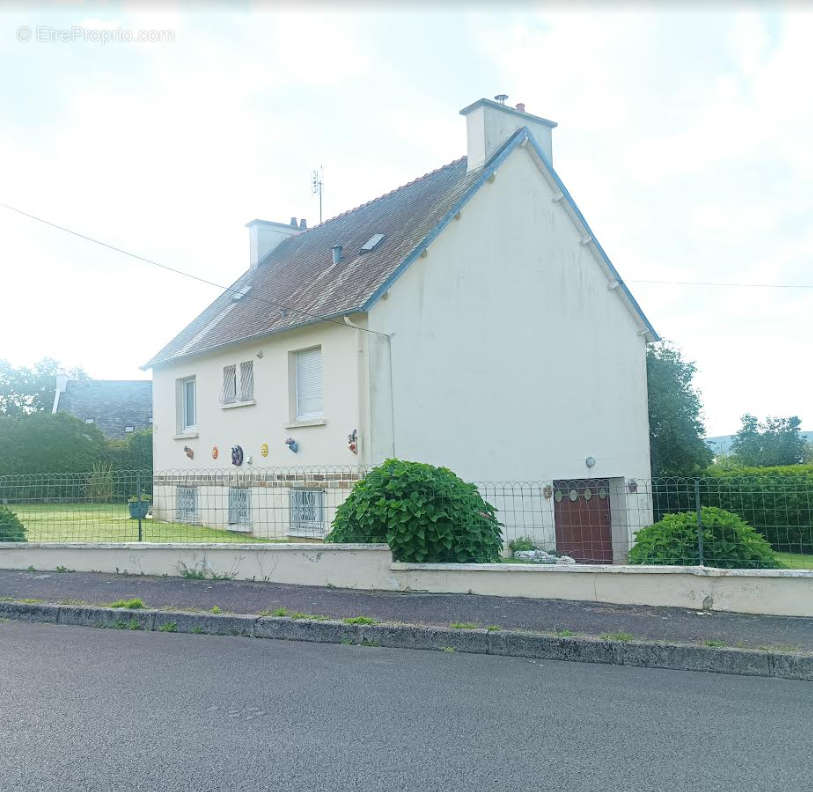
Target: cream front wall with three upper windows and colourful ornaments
column 269, row 419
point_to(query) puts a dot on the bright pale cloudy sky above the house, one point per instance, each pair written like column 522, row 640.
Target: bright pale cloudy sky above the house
column 684, row 136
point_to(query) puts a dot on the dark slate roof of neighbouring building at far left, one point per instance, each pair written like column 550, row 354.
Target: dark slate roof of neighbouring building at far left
column 112, row 405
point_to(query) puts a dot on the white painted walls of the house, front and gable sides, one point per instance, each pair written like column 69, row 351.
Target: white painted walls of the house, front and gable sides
column 507, row 353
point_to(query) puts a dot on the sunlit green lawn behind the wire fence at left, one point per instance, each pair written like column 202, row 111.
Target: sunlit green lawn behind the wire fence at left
column 105, row 522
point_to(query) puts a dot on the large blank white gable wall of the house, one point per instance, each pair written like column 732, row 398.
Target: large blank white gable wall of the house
column 511, row 359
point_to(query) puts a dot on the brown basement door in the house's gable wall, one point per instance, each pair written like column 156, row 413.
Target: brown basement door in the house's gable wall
column 581, row 511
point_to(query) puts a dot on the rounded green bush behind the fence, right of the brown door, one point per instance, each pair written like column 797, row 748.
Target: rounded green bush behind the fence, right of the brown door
column 728, row 542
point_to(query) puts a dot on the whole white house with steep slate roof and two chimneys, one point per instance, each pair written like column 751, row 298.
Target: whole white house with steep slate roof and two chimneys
column 469, row 318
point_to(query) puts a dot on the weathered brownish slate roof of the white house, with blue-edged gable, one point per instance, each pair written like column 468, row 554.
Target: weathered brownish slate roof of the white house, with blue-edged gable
column 298, row 283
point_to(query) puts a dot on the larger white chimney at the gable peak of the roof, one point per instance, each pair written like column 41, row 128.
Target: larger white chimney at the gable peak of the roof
column 489, row 124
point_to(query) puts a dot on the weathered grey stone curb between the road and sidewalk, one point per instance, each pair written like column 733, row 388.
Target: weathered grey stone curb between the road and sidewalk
column 507, row 643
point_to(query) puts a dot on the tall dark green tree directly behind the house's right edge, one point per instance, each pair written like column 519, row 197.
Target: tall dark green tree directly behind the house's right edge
column 676, row 427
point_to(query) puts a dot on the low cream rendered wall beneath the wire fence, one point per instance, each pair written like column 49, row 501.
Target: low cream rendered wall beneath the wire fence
column 370, row 566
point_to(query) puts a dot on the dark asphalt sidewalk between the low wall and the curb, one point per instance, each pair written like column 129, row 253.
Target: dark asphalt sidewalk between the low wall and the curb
column 581, row 618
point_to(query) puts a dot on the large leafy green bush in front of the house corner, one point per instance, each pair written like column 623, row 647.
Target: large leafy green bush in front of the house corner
column 424, row 513
